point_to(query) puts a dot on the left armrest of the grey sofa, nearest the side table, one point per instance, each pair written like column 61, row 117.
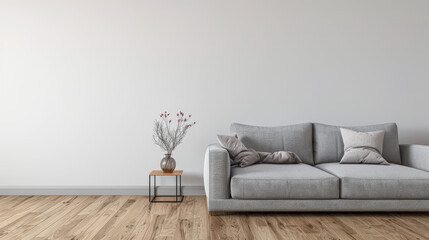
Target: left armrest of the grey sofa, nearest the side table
column 216, row 172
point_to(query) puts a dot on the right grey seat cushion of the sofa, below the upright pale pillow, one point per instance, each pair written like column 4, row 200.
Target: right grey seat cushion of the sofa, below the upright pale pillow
column 364, row 181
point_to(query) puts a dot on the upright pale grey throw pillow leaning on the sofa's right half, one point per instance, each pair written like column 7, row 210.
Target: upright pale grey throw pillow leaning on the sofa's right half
column 363, row 147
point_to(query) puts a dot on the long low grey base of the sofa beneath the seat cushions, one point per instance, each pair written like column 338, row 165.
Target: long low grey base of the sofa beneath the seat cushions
column 330, row 205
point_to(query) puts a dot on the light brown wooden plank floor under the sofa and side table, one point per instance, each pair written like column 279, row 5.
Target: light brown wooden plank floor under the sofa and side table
column 132, row 217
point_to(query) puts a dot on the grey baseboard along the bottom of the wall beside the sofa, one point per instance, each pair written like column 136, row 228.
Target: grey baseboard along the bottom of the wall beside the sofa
column 143, row 190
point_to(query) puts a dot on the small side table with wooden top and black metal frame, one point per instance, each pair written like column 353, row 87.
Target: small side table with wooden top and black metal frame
column 177, row 174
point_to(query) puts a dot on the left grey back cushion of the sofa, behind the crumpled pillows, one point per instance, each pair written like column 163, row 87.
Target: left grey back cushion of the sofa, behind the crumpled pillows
column 294, row 138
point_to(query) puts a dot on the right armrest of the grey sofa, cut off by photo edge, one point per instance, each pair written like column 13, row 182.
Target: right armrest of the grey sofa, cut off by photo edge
column 415, row 156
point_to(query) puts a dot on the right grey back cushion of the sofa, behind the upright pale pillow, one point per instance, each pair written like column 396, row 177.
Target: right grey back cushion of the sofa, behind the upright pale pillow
column 328, row 144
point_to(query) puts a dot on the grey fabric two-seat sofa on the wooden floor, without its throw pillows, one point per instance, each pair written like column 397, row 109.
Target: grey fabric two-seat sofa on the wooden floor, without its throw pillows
column 320, row 183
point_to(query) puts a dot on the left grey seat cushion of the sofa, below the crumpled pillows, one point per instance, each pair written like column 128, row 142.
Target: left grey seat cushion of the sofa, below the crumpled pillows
column 283, row 181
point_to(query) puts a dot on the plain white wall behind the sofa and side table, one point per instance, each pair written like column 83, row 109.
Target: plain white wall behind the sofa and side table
column 82, row 81
